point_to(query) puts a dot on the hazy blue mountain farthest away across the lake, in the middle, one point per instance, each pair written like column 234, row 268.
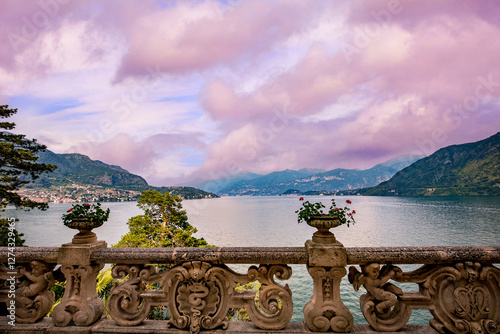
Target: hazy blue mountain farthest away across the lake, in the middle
column 308, row 180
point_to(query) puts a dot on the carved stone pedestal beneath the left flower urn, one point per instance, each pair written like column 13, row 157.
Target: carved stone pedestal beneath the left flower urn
column 80, row 302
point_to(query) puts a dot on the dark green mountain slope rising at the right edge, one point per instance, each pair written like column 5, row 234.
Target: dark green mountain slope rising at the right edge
column 467, row 169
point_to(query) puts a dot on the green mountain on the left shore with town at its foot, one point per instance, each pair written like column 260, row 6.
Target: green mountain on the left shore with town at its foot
column 78, row 169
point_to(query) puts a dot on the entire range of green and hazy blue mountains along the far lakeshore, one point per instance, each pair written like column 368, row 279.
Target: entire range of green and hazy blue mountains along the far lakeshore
column 467, row 169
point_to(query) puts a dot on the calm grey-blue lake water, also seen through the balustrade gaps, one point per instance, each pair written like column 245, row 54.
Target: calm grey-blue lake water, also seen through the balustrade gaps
column 271, row 221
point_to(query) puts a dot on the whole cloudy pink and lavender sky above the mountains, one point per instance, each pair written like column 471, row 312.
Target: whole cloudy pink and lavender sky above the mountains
column 182, row 90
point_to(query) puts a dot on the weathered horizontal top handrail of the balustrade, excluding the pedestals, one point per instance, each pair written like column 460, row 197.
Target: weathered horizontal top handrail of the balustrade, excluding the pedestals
column 268, row 255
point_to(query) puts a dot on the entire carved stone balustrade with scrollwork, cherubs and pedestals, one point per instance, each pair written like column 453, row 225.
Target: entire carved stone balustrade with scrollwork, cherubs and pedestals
column 460, row 286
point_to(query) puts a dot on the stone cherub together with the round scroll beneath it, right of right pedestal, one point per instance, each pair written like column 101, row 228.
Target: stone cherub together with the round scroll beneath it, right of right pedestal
column 382, row 305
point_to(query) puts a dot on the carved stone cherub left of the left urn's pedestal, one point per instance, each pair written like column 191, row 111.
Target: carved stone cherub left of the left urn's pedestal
column 39, row 279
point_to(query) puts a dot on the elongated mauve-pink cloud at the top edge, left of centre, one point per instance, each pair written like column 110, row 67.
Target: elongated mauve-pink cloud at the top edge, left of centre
column 197, row 36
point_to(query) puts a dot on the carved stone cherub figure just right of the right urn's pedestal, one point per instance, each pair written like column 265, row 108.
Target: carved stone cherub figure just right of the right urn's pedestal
column 376, row 284
